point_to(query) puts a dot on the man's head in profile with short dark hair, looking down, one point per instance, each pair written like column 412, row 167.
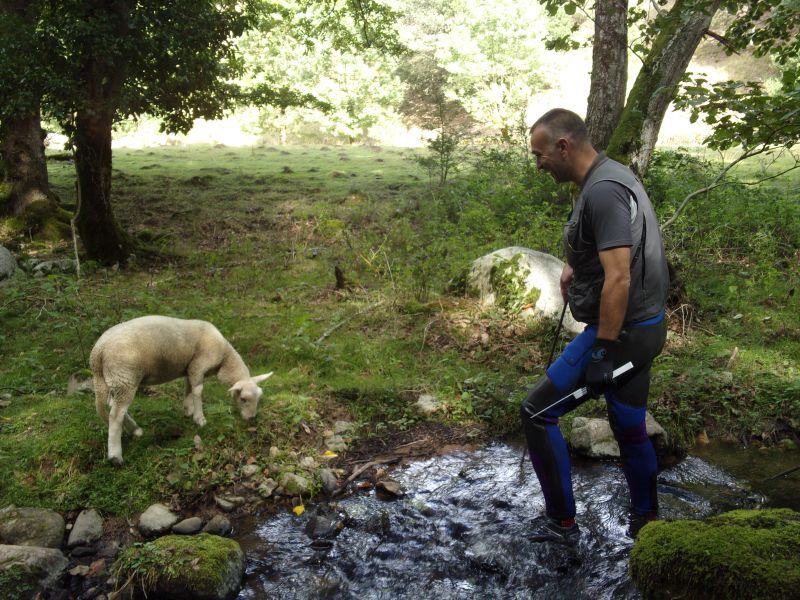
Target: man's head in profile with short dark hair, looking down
column 560, row 143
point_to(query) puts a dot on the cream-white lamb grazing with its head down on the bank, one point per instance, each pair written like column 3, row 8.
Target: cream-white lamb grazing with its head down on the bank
column 155, row 349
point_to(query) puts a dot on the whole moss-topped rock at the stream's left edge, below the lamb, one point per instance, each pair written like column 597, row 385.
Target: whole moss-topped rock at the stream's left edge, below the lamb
column 177, row 567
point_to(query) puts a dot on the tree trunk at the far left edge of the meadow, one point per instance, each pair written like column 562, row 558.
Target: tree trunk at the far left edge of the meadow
column 25, row 169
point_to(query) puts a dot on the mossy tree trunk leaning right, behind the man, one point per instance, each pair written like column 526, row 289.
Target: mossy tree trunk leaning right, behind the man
column 680, row 31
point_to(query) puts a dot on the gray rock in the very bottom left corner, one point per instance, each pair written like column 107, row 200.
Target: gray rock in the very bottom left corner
column 31, row 567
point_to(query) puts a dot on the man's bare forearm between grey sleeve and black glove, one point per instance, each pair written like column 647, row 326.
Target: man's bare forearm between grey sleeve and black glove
column 616, row 264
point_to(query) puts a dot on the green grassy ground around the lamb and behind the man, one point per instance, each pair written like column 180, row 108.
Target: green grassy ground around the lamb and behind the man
column 249, row 239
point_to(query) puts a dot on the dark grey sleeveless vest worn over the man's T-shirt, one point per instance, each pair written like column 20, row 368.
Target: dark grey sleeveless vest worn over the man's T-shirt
column 649, row 275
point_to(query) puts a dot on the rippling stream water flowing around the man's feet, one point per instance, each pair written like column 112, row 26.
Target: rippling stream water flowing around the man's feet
column 460, row 531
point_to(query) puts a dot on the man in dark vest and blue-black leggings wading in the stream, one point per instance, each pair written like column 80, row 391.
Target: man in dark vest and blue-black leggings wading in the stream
column 615, row 281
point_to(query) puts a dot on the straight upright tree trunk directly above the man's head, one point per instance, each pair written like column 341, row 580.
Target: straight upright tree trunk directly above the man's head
column 609, row 71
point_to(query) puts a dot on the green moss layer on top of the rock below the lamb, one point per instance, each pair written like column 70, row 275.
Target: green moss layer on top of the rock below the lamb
column 198, row 563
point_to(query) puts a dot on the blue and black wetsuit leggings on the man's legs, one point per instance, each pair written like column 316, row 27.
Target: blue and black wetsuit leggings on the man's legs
column 640, row 343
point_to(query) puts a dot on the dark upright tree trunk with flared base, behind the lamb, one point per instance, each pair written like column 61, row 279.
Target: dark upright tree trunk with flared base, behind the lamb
column 103, row 239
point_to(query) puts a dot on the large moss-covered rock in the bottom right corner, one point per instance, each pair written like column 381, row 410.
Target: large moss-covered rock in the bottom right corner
column 740, row 554
